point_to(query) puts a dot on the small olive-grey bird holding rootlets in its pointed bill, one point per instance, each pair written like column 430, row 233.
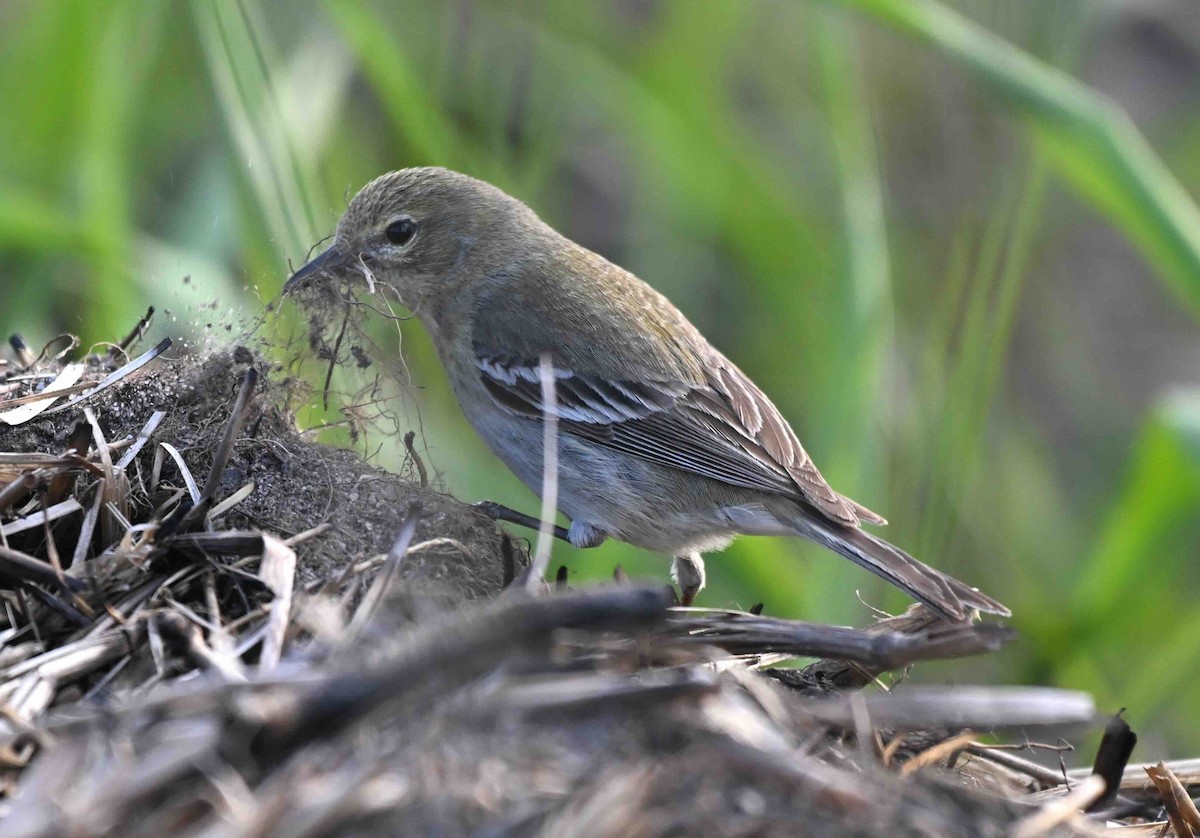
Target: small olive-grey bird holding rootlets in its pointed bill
column 663, row 442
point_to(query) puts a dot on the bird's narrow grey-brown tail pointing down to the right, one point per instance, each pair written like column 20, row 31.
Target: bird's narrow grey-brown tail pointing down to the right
column 945, row 595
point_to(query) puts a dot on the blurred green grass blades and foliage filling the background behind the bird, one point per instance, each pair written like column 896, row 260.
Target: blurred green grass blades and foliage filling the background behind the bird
column 862, row 202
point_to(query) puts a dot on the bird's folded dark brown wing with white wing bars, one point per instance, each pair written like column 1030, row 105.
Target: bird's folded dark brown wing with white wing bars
column 724, row 428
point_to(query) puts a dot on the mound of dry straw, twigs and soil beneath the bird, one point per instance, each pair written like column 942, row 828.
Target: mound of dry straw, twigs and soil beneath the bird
column 212, row 626
